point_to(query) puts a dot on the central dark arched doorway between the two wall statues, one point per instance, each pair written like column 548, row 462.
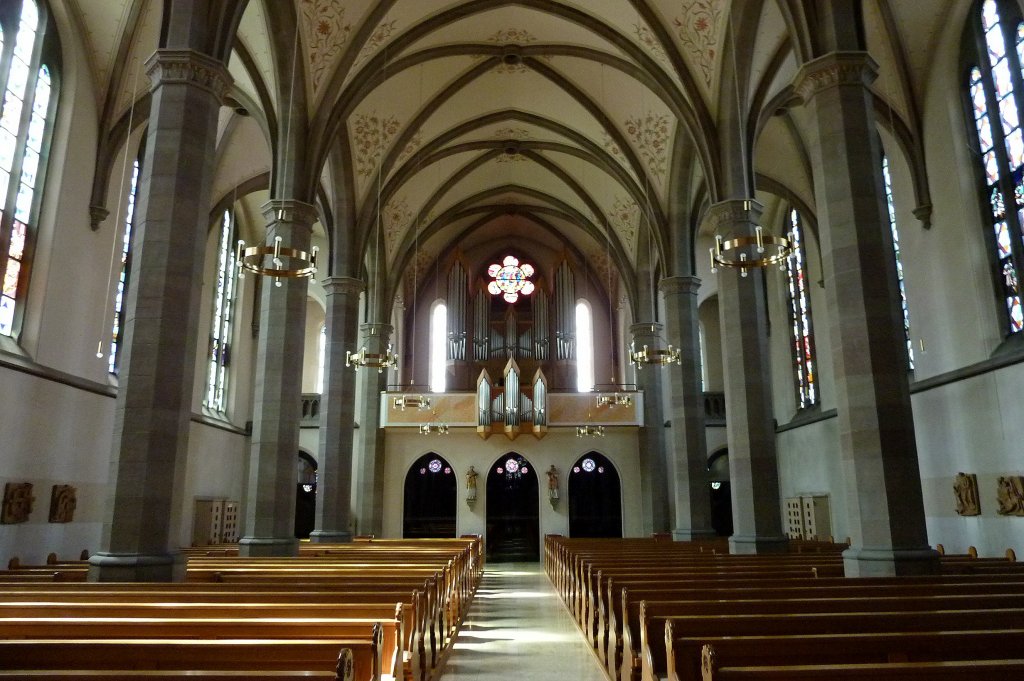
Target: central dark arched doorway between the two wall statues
column 514, row 516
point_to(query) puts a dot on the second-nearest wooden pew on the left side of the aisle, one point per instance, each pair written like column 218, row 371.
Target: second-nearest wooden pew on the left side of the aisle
column 248, row 656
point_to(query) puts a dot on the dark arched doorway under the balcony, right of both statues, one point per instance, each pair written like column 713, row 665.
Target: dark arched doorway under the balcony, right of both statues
column 595, row 498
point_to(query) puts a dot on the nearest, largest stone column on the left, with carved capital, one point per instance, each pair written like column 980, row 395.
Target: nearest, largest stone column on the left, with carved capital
column 158, row 364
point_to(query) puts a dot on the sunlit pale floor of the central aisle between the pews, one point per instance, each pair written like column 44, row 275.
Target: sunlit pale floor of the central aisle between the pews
column 519, row 629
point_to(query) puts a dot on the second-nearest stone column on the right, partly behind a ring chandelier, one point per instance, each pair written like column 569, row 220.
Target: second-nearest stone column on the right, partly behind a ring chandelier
column 757, row 513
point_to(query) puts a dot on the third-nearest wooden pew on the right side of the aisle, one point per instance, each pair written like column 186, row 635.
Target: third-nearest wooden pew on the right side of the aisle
column 805, row 616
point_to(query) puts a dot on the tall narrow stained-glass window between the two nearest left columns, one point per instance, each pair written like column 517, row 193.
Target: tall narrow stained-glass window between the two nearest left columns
column 221, row 329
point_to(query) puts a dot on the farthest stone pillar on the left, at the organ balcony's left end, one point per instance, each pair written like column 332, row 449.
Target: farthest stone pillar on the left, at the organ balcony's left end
column 368, row 469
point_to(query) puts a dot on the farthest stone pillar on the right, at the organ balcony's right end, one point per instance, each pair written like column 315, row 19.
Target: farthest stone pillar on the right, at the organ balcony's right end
column 654, row 474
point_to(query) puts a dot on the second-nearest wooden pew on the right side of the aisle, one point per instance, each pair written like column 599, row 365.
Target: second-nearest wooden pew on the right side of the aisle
column 689, row 659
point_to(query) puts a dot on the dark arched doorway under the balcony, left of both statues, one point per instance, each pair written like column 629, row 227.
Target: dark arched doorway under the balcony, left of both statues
column 430, row 499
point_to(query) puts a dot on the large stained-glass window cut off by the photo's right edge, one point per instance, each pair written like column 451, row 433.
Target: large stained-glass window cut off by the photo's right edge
column 996, row 91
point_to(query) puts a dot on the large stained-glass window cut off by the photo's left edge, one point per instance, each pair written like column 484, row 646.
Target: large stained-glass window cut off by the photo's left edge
column 28, row 75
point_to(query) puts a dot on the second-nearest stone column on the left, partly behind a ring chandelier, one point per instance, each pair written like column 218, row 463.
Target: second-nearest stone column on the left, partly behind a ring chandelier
column 270, row 514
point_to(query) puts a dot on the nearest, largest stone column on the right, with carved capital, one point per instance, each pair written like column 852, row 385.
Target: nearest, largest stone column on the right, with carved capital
column 876, row 421
